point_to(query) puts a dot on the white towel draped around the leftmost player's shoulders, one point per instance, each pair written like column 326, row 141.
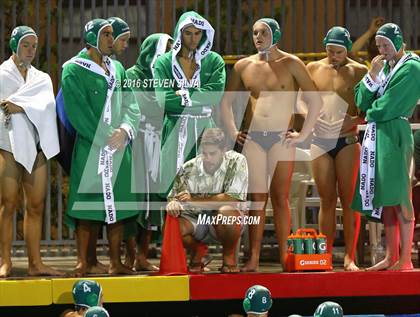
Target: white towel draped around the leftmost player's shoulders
column 38, row 122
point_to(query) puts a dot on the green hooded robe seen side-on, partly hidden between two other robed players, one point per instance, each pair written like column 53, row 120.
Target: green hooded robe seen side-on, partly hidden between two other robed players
column 140, row 78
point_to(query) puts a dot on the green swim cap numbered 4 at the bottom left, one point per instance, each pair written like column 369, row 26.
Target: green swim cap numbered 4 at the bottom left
column 86, row 293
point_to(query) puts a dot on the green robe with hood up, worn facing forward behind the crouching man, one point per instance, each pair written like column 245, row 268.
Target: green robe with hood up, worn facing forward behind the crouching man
column 188, row 114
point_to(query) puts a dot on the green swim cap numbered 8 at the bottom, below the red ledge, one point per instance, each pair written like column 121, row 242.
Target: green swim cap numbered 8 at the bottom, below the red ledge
column 257, row 300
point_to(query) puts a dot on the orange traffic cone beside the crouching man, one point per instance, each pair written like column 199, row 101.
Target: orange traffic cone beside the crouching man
column 173, row 260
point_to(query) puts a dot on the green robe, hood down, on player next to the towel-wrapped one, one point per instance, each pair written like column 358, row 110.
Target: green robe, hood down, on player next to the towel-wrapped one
column 85, row 94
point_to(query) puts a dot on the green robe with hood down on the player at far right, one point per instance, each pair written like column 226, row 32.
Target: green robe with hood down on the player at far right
column 394, row 138
